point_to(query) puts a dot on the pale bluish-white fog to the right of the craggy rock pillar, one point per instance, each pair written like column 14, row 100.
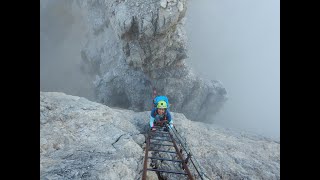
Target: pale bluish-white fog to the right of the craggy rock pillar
column 238, row 43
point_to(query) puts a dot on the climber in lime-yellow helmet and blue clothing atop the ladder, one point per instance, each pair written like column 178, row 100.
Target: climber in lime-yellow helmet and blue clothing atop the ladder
column 160, row 114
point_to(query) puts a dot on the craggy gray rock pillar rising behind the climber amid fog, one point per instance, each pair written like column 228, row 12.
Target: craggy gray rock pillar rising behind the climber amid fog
column 133, row 46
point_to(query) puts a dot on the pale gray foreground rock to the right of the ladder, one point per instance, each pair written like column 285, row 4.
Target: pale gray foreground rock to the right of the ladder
column 227, row 154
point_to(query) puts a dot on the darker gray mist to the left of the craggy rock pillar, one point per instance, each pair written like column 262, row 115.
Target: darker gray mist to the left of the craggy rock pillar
column 62, row 35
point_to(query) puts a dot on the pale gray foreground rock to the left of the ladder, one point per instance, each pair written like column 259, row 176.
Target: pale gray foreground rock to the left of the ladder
column 80, row 139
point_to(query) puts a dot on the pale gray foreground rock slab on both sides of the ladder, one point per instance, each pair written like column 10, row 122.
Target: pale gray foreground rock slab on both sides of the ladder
column 80, row 139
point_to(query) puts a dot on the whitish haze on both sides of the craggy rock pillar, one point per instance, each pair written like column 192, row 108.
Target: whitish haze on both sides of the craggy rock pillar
column 234, row 41
